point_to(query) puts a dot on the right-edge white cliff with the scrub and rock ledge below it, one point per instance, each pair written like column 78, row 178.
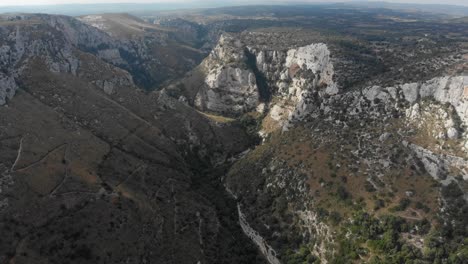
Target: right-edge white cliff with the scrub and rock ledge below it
column 435, row 117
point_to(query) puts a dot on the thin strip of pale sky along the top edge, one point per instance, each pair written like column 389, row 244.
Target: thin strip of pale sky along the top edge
column 53, row 2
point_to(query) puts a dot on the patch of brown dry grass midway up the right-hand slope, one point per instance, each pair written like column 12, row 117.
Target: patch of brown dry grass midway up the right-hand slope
column 327, row 166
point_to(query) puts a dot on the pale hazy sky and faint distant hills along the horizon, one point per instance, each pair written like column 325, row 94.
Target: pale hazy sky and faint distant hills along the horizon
column 88, row 7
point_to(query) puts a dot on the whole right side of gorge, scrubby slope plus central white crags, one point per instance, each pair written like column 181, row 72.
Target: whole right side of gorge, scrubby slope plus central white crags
column 337, row 159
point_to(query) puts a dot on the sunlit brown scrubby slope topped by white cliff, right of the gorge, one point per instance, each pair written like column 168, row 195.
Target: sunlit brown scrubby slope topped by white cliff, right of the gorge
column 356, row 157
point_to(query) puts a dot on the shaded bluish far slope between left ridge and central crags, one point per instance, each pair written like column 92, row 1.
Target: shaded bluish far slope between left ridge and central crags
column 160, row 53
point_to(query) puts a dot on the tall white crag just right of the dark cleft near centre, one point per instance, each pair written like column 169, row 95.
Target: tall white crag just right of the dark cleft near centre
column 294, row 77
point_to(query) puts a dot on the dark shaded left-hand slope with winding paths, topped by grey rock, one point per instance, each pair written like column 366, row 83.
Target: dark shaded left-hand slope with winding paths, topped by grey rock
column 94, row 169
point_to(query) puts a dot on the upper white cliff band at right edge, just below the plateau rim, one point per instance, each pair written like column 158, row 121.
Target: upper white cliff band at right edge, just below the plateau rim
column 439, row 102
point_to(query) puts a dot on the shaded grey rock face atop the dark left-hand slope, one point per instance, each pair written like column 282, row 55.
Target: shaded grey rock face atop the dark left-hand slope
column 60, row 42
